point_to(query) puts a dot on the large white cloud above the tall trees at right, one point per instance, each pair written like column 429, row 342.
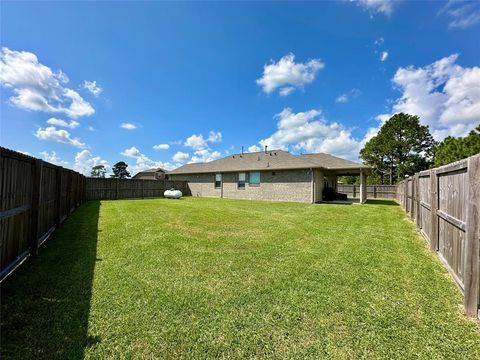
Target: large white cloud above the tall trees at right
column 445, row 95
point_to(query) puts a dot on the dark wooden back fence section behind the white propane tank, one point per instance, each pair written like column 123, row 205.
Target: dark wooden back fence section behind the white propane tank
column 113, row 189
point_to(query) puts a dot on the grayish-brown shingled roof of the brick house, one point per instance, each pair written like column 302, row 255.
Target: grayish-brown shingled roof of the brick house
column 270, row 160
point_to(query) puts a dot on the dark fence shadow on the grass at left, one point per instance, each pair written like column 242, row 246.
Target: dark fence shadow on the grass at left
column 46, row 302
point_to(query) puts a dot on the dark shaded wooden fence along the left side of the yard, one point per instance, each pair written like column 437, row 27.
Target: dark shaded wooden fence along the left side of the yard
column 36, row 198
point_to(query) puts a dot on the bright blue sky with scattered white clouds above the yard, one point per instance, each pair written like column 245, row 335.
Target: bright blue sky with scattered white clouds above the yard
column 201, row 80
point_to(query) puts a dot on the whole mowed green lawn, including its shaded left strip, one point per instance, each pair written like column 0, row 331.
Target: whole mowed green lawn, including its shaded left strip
column 211, row 278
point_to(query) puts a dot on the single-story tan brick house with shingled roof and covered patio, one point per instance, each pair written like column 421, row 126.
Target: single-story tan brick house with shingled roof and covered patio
column 269, row 175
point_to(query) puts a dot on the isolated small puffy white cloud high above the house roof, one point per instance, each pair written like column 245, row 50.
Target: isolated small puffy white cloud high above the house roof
column 286, row 75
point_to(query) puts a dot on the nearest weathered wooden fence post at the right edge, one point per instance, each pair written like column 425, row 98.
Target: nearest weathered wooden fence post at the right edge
column 472, row 237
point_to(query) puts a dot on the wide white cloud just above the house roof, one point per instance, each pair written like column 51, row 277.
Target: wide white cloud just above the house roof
column 310, row 132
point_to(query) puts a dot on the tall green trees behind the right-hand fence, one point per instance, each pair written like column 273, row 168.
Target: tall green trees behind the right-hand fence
column 404, row 147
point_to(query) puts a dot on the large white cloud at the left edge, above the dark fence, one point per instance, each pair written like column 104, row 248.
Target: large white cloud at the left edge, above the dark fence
column 37, row 88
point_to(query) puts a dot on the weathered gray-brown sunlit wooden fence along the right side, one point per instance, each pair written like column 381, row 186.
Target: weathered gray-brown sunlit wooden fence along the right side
column 445, row 205
